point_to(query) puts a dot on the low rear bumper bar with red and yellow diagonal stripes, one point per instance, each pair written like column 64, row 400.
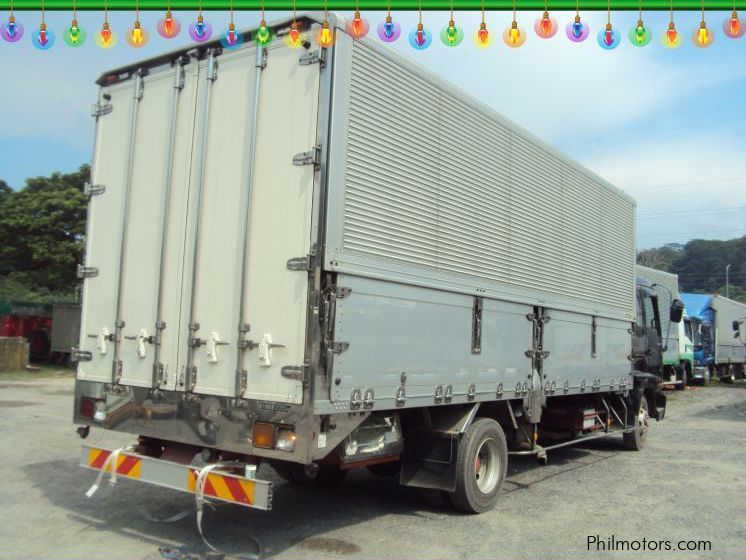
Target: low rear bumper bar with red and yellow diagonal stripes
column 220, row 485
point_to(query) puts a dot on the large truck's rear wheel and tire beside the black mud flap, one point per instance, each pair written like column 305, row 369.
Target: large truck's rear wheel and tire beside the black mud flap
column 481, row 467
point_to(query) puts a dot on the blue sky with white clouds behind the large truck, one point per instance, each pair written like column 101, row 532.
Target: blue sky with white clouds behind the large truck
column 665, row 126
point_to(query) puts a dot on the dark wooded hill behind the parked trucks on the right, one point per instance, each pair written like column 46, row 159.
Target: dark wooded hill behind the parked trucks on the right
column 701, row 264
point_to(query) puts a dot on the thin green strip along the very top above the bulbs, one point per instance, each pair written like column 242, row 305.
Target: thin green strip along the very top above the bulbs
column 371, row 5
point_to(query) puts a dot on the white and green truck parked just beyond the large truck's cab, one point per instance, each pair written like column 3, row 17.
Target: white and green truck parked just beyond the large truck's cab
column 678, row 349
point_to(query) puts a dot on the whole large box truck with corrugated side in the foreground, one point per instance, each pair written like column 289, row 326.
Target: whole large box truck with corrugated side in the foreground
column 330, row 259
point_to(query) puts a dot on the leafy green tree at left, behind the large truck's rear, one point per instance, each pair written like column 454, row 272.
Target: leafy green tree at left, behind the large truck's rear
column 42, row 228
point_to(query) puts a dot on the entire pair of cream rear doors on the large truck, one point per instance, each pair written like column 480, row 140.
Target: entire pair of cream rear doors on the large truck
column 231, row 226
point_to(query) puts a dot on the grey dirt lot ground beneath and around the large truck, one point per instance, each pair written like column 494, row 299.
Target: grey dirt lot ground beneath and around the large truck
column 688, row 484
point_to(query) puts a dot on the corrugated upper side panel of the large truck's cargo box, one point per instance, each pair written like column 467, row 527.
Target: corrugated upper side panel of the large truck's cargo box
column 438, row 183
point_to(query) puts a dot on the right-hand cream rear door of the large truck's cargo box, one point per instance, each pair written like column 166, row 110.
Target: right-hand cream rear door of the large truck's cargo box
column 218, row 280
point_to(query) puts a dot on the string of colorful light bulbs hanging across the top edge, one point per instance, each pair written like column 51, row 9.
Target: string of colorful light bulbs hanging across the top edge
column 420, row 38
